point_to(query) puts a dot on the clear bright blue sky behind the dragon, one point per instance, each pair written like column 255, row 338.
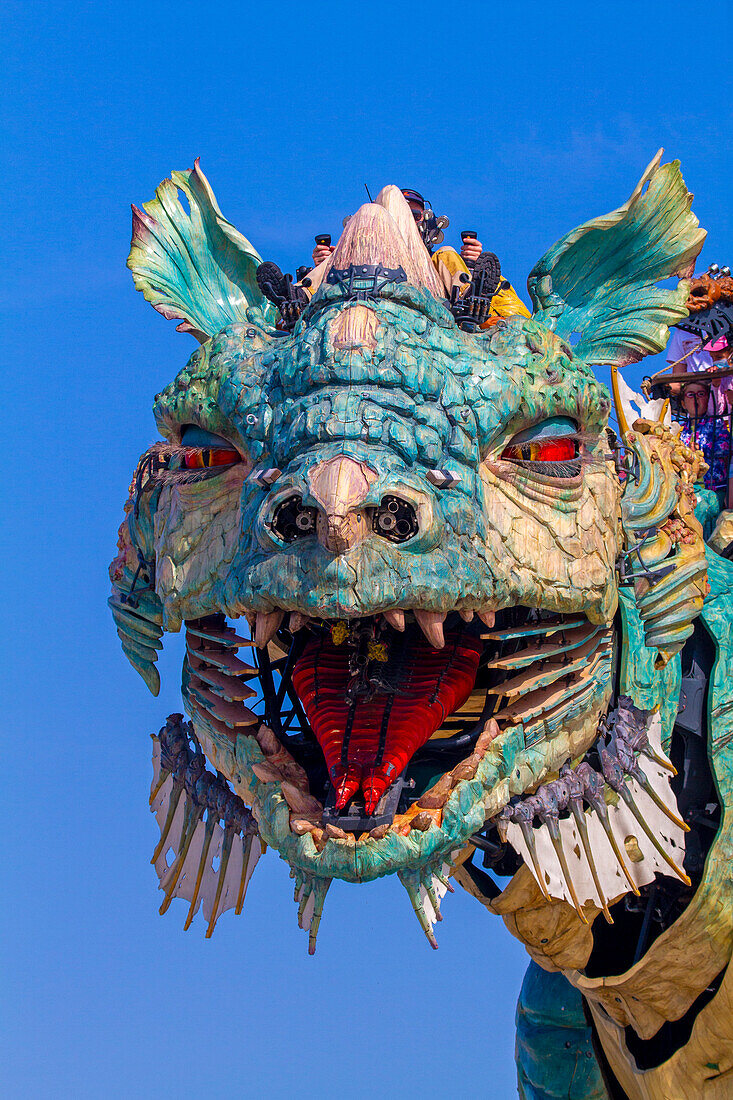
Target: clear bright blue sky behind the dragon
column 519, row 122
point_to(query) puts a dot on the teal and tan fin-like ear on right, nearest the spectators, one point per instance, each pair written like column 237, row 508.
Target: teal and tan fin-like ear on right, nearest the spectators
column 600, row 281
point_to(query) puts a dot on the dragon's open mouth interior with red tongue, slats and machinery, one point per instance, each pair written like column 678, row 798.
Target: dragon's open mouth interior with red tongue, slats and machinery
column 376, row 716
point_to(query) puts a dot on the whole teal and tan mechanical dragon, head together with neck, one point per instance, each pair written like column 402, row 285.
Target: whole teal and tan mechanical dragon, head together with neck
column 483, row 640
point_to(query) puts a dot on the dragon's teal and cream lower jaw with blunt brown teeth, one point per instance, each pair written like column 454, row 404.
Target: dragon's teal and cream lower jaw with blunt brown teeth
column 509, row 758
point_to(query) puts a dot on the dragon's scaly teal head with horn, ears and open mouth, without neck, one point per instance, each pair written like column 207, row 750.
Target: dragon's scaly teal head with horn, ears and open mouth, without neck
column 424, row 529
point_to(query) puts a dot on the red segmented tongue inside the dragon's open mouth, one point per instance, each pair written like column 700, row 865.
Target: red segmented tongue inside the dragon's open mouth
column 369, row 743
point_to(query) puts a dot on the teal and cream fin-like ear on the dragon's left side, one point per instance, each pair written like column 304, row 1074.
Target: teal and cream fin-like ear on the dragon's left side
column 194, row 268
